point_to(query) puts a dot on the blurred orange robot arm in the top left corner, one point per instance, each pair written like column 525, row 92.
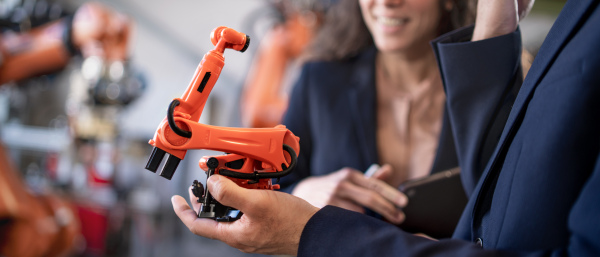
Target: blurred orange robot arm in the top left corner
column 93, row 30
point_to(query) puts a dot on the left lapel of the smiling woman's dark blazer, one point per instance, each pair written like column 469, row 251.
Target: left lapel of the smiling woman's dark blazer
column 362, row 104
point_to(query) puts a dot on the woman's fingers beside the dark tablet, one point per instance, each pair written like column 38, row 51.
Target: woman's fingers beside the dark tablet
column 371, row 200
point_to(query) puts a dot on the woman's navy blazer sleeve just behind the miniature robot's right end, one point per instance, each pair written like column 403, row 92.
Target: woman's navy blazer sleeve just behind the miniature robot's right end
column 297, row 120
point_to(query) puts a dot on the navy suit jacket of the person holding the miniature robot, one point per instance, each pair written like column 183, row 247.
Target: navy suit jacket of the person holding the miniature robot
column 540, row 192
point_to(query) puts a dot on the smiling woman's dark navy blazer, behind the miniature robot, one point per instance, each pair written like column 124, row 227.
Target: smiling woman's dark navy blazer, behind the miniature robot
column 333, row 111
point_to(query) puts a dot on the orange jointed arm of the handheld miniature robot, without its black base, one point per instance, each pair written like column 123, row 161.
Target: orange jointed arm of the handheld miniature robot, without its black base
column 180, row 131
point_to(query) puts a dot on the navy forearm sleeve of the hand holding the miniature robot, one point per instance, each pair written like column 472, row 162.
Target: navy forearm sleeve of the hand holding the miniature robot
column 333, row 231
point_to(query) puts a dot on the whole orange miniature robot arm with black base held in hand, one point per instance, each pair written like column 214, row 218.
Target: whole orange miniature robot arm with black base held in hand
column 253, row 155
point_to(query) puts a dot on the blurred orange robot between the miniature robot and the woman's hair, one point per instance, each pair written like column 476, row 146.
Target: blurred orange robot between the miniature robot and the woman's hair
column 265, row 93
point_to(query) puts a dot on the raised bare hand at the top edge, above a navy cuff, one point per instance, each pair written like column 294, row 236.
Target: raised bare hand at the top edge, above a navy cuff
column 499, row 17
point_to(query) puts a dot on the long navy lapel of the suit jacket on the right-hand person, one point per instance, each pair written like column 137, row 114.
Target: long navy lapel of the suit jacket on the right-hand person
column 564, row 27
